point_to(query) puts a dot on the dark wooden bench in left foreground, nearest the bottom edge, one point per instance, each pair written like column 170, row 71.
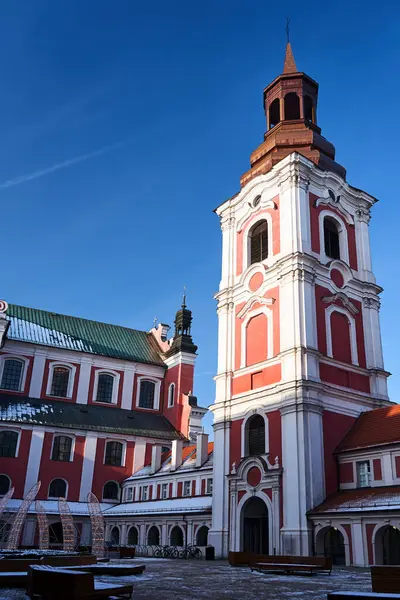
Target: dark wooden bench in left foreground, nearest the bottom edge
column 50, row 583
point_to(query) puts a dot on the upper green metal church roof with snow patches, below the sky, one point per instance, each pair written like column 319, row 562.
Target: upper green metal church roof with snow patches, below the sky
column 73, row 333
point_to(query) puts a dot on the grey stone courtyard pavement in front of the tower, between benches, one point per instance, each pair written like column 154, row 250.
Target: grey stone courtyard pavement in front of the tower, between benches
column 166, row 579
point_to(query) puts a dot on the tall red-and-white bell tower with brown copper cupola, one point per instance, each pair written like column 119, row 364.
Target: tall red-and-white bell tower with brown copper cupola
column 299, row 343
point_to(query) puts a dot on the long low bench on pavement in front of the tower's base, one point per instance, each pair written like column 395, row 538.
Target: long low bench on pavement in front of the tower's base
column 293, row 564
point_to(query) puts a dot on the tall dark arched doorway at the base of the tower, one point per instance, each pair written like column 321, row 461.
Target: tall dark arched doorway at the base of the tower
column 255, row 526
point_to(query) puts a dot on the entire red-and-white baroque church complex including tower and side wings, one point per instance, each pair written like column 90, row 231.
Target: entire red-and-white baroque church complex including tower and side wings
column 306, row 451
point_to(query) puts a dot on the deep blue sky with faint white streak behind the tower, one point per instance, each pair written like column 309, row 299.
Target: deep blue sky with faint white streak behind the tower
column 122, row 127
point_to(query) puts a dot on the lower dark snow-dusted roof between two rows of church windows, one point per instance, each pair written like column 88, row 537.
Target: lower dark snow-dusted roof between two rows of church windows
column 22, row 409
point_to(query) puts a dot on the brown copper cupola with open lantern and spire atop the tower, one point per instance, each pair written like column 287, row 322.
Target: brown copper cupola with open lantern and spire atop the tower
column 290, row 105
